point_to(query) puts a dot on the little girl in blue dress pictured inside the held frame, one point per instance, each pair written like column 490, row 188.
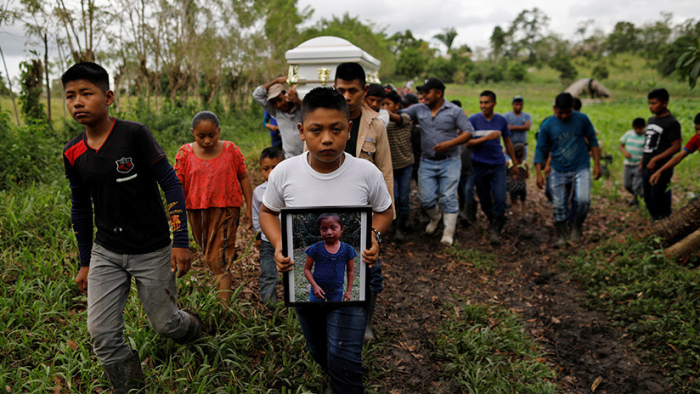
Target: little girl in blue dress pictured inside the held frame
column 330, row 259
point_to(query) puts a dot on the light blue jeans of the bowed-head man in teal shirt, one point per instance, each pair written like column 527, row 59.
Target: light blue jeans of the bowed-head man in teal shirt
column 581, row 191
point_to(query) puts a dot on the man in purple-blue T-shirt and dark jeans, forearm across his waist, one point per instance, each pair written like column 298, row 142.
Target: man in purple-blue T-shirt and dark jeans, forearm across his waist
column 489, row 163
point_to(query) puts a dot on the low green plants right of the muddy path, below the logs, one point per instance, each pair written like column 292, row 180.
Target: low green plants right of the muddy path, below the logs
column 655, row 300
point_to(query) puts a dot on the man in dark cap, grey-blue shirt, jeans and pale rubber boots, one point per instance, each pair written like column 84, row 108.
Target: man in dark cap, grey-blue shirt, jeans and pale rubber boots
column 441, row 123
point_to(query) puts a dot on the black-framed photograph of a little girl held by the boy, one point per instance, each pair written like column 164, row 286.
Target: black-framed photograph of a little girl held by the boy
column 325, row 245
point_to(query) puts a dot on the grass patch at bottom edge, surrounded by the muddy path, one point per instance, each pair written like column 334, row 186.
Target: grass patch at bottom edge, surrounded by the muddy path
column 486, row 351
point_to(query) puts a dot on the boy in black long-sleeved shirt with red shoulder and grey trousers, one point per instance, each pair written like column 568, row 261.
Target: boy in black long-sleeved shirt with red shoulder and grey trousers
column 116, row 166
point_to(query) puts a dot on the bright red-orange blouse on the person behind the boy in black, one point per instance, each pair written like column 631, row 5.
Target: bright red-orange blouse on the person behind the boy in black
column 214, row 182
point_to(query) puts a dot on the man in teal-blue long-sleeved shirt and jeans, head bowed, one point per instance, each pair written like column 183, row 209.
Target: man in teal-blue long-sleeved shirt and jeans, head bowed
column 567, row 136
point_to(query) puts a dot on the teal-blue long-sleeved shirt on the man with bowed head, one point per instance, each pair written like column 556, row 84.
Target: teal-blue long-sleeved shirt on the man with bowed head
column 566, row 142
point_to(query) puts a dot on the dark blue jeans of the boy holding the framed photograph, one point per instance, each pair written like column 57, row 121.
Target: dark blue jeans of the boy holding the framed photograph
column 334, row 338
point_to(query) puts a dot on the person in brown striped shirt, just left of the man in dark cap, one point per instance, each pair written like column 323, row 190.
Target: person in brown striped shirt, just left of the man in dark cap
column 399, row 133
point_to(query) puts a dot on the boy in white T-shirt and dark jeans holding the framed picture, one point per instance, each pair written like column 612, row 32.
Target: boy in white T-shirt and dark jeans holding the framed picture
column 326, row 176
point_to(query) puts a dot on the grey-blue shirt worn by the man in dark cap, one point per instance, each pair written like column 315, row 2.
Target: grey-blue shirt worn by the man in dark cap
column 445, row 126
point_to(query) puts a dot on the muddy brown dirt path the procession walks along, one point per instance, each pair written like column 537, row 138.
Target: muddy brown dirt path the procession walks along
column 422, row 278
